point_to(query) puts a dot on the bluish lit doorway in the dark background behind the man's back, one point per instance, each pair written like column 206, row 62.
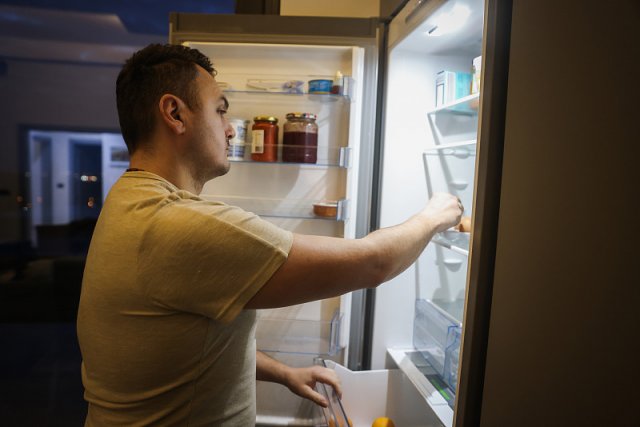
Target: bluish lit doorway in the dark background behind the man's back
column 68, row 176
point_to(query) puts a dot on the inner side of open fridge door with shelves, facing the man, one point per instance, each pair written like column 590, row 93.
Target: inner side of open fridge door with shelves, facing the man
column 272, row 80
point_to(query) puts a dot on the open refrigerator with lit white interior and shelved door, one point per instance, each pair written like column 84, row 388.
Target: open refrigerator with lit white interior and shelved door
column 461, row 96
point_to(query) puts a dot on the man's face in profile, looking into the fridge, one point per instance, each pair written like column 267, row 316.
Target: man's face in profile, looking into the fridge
column 211, row 129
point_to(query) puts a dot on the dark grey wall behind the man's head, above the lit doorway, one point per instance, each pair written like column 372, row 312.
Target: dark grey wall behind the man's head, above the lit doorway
column 48, row 95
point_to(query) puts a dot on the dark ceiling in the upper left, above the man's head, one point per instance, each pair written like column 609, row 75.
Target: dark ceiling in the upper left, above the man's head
column 89, row 31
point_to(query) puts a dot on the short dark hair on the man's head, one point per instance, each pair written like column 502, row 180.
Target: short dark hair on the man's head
column 146, row 76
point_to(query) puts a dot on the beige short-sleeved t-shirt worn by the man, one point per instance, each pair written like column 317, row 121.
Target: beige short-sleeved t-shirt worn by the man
column 163, row 335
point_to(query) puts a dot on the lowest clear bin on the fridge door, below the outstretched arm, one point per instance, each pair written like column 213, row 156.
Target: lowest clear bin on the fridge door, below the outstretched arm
column 299, row 336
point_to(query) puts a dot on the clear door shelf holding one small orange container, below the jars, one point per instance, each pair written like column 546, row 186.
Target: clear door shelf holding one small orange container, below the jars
column 284, row 208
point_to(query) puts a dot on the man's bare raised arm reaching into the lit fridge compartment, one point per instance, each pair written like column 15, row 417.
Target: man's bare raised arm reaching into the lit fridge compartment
column 322, row 267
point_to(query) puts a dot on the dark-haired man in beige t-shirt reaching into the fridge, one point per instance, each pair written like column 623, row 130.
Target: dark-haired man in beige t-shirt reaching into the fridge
column 167, row 311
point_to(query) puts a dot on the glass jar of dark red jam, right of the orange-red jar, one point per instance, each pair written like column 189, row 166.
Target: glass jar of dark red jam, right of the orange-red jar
column 300, row 138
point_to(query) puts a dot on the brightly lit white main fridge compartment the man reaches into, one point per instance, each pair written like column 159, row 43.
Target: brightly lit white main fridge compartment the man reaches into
column 430, row 144
